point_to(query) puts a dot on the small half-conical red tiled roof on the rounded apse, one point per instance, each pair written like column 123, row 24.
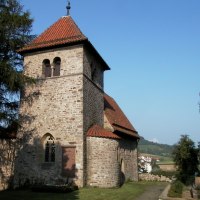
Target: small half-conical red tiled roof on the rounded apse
column 98, row 131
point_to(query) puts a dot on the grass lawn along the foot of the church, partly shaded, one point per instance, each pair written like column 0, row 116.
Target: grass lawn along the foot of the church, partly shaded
column 128, row 191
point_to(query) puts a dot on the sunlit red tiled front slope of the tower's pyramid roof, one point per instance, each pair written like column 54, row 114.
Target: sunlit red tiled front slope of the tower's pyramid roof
column 64, row 31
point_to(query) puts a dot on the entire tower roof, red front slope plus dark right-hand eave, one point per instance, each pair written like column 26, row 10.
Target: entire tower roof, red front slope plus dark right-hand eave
column 63, row 32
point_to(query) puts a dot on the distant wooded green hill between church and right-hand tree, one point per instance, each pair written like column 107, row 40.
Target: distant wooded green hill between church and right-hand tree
column 153, row 148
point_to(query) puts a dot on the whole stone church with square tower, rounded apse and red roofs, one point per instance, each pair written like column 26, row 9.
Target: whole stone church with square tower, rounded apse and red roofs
column 71, row 130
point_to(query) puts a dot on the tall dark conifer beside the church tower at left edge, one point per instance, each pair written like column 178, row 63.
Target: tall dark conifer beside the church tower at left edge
column 15, row 27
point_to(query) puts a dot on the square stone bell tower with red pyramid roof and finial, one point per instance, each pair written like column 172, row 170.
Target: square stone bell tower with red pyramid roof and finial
column 69, row 83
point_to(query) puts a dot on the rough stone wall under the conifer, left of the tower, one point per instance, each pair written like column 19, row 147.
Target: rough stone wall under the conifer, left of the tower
column 7, row 160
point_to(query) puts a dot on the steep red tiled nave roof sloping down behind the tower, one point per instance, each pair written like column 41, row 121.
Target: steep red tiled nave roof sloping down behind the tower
column 117, row 118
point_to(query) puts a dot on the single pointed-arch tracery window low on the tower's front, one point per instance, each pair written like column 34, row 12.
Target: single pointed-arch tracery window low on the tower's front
column 49, row 148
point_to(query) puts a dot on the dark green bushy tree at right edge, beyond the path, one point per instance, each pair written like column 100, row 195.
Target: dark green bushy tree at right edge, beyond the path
column 185, row 156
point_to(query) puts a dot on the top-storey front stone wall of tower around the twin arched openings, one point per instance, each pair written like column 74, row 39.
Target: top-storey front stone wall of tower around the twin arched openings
column 71, row 61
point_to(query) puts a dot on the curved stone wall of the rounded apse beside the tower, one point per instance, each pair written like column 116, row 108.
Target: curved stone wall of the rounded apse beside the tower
column 103, row 165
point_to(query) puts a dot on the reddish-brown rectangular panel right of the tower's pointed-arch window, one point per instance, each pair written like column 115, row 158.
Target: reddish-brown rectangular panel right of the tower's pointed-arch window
column 68, row 161
